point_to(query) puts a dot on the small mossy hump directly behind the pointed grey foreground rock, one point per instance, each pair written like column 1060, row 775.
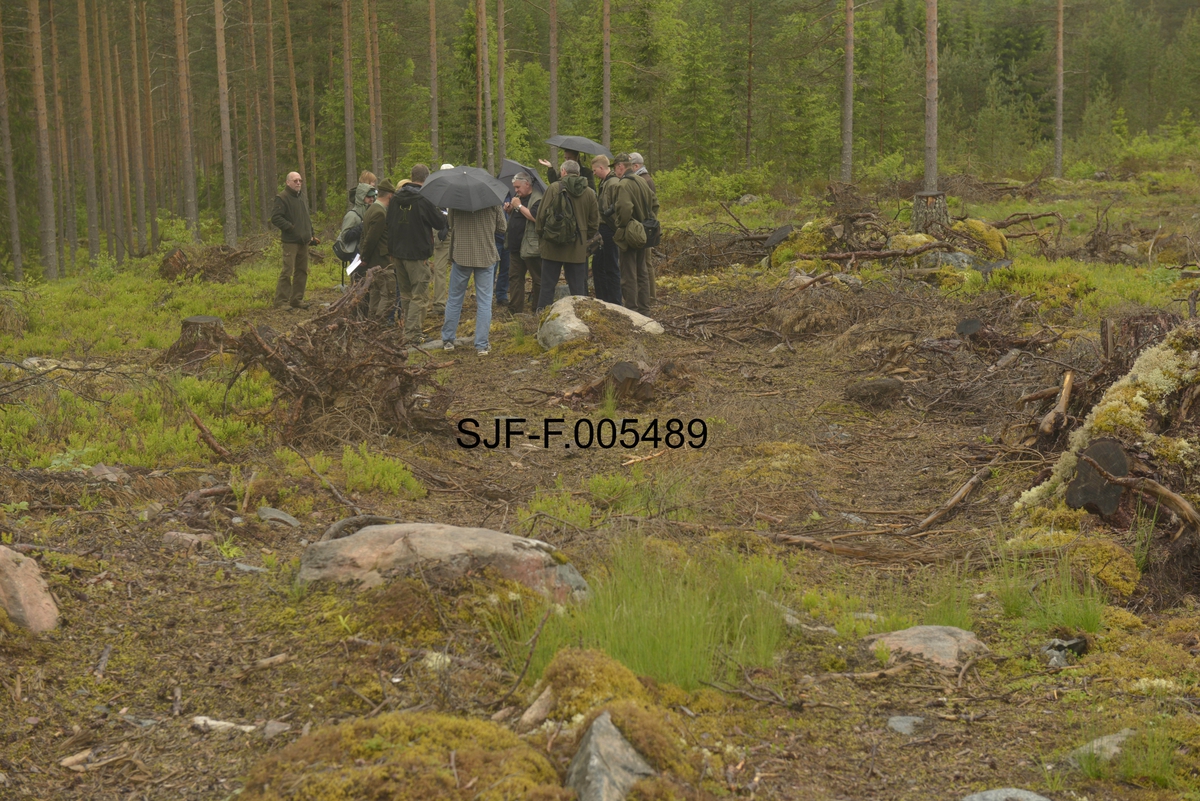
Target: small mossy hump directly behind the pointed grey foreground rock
column 584, row 679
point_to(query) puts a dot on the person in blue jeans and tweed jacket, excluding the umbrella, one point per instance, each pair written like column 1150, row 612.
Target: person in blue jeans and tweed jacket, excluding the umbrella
column 473, row 255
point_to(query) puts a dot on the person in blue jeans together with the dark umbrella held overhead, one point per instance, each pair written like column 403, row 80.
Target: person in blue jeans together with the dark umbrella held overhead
column 473, row 197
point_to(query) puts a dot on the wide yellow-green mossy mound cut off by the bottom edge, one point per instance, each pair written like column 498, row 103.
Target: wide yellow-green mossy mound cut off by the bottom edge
column 406, row 757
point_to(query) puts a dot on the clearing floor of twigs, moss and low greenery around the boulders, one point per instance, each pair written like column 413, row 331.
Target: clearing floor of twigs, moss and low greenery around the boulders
column 152, row 636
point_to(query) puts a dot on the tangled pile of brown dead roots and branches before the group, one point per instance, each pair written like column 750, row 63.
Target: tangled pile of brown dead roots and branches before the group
column 346, row 378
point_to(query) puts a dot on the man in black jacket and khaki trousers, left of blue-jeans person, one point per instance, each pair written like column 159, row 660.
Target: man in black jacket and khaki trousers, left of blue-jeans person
column 412, row 221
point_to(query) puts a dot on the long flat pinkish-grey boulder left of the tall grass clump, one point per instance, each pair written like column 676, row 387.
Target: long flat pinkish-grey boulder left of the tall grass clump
column 376, row 553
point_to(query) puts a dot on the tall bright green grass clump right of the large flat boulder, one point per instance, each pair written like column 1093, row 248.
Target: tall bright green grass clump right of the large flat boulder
column 663, row 616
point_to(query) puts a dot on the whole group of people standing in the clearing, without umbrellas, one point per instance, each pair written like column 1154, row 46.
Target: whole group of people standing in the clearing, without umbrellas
column 602, row 210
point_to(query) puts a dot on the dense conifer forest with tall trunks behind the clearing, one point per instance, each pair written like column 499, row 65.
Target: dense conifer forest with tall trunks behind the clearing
column 705, row 86
